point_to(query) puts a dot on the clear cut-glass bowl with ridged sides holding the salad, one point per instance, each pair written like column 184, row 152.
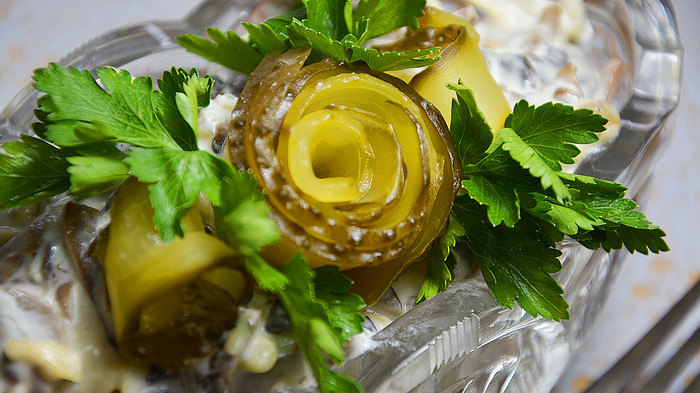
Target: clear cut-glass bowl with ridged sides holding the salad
column 461, row 340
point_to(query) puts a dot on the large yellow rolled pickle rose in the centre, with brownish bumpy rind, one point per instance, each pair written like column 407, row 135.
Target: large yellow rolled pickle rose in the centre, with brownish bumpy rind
column 359, row 169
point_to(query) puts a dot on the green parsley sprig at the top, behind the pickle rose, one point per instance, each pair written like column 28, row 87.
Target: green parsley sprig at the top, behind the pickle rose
column 330, row 27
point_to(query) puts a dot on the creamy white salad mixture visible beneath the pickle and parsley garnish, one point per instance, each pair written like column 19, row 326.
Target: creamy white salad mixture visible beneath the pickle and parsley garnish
column 534, row 48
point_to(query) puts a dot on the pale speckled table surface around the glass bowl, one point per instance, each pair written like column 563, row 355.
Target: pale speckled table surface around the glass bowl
column 34, row 32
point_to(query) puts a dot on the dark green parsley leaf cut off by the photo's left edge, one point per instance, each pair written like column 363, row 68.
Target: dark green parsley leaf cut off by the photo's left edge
column 31, row 171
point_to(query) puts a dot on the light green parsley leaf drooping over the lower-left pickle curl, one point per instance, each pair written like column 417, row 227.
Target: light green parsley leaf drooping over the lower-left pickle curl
column 179, row 177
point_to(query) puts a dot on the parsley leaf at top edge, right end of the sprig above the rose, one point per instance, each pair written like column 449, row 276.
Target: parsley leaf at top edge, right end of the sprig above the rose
column 373, row 18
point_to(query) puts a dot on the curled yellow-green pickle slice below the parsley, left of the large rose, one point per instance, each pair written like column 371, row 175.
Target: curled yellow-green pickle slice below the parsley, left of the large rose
column 170, row 302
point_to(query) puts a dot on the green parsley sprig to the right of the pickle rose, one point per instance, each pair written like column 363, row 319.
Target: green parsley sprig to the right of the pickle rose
column 519, row 203
